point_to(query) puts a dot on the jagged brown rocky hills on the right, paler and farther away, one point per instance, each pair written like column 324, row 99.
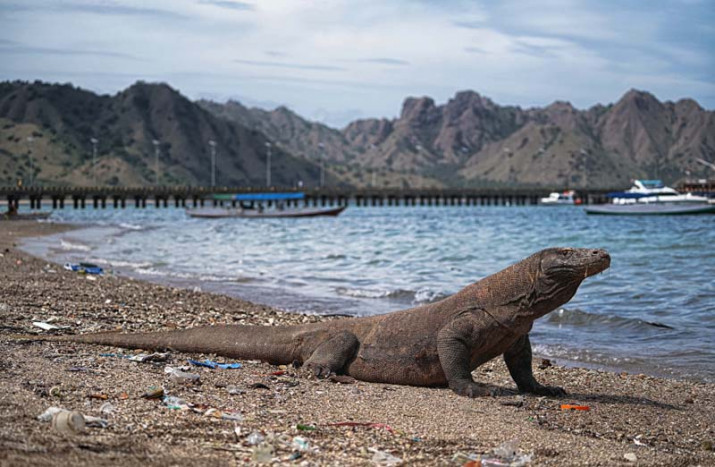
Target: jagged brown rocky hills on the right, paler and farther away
column 470, row 140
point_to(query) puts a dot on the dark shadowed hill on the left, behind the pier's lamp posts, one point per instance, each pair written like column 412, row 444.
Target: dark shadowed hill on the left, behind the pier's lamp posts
column 47, row 128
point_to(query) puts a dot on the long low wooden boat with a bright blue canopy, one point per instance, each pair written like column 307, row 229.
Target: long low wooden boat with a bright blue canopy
column 251, row 206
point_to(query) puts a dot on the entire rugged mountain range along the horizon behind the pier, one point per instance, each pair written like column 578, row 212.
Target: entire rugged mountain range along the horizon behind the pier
column 467, row 141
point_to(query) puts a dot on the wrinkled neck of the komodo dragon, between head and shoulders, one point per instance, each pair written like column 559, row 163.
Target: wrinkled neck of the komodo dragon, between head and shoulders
column 521, row 293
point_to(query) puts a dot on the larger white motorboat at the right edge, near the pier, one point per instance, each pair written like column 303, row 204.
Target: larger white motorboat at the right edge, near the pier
column 652, row 197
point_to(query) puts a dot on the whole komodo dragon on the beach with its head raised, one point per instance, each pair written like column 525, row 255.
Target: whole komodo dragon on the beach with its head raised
column 431, row 345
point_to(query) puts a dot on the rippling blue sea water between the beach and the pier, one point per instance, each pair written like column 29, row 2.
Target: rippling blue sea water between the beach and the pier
column 653, row 311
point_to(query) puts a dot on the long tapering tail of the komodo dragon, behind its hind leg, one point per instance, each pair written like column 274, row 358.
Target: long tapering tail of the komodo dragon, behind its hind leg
column 267, row 343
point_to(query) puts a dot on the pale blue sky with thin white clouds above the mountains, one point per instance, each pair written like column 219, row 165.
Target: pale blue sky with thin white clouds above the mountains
column 335, row 61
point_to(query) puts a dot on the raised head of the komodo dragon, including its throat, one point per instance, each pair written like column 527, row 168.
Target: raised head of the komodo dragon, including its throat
column 559, row 273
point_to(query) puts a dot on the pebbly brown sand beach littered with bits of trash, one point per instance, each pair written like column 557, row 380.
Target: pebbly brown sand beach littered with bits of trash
column 633, row 419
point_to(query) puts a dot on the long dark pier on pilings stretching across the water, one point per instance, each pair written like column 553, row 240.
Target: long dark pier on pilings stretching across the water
column 184, row 196
